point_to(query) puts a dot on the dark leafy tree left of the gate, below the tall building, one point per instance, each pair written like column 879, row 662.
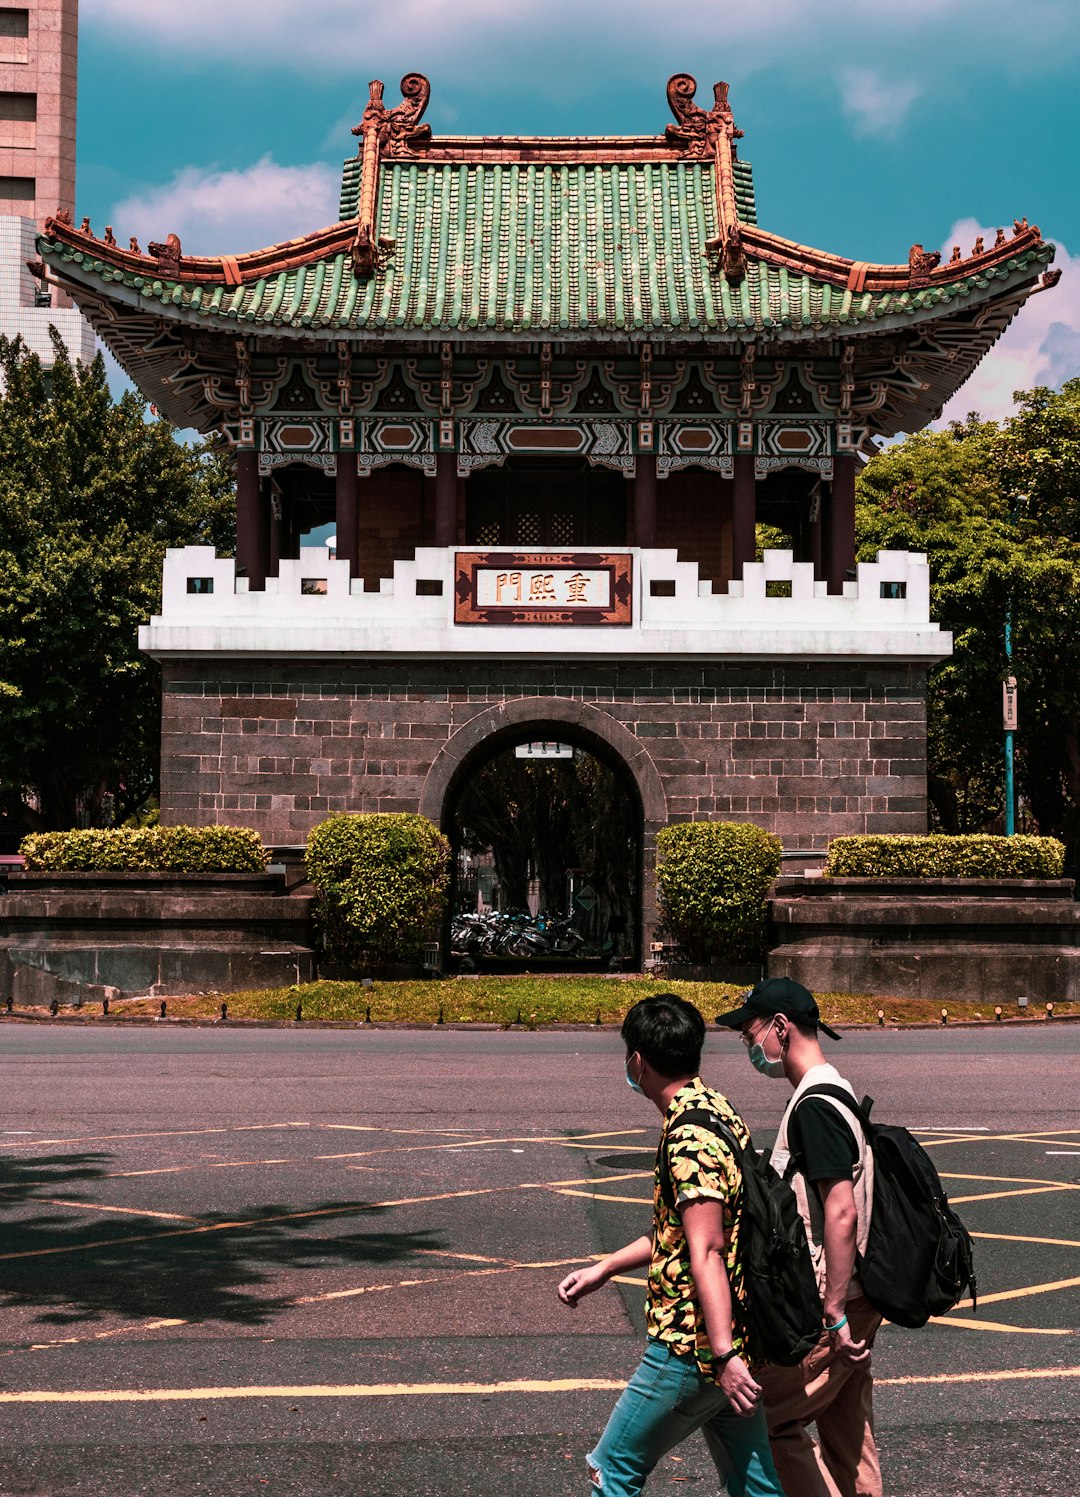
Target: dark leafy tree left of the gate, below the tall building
column 92, row 492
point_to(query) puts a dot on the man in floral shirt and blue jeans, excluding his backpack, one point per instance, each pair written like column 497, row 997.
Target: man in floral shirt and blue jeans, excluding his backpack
column 696, row 1372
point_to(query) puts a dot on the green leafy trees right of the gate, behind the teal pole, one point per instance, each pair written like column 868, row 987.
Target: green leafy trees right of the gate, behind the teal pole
column 997, row 508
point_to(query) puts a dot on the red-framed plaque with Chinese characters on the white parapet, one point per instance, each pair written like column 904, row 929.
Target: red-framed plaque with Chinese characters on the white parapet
column 497, row 588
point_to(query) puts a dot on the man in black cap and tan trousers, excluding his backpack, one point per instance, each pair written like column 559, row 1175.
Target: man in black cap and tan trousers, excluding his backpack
column 825, row 1153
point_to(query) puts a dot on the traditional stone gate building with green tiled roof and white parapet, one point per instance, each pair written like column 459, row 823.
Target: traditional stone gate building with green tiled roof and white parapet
column 546, row 390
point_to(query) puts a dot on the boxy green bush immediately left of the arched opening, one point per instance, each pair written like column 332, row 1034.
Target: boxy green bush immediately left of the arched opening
column 381, row 882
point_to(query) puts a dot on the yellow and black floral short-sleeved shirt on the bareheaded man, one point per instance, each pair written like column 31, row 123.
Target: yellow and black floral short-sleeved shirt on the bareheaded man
column 703, row 1167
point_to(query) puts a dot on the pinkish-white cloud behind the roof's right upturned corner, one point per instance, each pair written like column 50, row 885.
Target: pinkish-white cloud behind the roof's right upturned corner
column 1042, row 347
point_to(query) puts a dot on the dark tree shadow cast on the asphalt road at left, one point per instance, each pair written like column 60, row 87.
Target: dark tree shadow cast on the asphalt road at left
column 80, row 1269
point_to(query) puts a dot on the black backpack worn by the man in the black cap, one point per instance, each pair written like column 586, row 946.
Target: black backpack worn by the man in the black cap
column 919, row 1255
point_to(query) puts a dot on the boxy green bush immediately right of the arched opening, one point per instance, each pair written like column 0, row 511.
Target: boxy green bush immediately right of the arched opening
column 712, row 881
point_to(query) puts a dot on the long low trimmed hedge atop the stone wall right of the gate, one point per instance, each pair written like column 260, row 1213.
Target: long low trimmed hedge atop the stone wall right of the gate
column 943, row 857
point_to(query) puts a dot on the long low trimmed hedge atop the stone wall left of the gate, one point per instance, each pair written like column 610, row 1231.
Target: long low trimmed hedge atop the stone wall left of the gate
column 151, row 850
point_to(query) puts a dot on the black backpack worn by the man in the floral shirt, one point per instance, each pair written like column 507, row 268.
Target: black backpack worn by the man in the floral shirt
column 783, row 1302
